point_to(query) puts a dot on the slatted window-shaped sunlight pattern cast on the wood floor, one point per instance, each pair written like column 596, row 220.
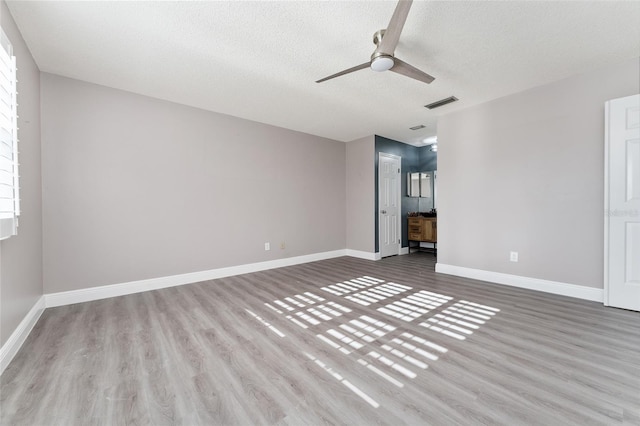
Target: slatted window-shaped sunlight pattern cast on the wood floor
column 389, row 352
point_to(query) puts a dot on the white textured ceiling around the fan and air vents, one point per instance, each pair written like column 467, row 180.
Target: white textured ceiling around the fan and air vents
column 260, row 60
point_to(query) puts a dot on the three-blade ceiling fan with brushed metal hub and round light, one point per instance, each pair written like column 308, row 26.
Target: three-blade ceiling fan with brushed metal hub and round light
column 382, row 58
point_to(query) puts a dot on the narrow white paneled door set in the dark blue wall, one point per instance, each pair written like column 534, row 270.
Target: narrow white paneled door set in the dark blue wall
column 389, row 204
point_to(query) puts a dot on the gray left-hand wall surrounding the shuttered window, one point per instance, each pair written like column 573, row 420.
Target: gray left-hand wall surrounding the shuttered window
column 21, row 255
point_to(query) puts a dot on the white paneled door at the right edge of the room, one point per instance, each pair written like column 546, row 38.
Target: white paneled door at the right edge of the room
column 622, row 203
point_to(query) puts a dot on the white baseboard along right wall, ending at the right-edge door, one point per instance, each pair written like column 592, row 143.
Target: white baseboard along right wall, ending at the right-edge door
column 564, row 289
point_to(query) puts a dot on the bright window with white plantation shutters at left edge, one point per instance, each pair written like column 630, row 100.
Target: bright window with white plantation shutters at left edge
column 9, row 194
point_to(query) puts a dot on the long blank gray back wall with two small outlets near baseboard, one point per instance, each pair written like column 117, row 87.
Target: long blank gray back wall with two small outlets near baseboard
column 137, row 188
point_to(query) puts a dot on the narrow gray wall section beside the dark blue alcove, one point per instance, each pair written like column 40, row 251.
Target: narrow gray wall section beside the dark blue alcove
column 361, row 194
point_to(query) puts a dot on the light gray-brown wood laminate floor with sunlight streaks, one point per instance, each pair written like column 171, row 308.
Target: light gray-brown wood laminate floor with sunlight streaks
column 340, row 341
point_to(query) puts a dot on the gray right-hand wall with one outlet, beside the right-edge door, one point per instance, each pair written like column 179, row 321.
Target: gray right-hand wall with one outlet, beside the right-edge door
column 525, row 173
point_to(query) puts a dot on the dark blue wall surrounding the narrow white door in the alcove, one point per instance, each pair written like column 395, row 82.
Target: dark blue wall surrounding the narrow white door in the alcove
column 414, row 159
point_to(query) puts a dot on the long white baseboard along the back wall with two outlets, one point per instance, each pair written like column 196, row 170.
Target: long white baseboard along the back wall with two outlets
column 122, row 289
